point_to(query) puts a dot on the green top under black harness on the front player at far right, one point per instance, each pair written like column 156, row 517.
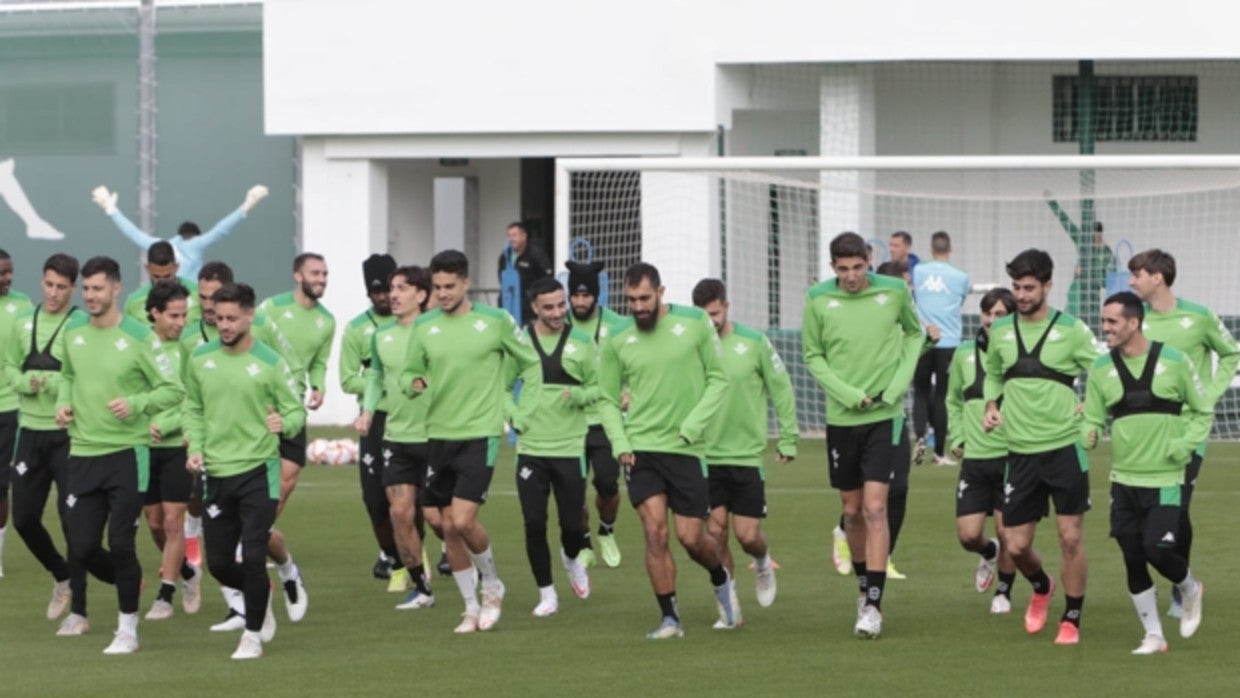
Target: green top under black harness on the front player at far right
column 1150, row 449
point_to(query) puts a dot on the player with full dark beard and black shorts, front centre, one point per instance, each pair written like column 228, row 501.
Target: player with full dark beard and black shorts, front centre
column 669, row 358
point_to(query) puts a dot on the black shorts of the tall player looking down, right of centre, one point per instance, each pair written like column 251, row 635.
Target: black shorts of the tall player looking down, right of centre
column 869, row 453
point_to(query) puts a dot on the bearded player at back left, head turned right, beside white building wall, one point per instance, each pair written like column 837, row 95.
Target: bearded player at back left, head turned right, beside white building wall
column 309, row 328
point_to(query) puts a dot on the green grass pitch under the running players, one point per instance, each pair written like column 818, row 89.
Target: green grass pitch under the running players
column 938, row 640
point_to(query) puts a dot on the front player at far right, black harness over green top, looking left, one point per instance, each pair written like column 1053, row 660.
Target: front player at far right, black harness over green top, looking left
column 1161, row 415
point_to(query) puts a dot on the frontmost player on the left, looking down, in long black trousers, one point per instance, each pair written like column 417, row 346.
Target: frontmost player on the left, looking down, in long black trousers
column 240, row 397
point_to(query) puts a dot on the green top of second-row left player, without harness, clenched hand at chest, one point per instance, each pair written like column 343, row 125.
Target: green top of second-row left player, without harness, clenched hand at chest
column 127, row 361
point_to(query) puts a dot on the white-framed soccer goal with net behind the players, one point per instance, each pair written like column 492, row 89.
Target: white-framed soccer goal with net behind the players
column 763, row 225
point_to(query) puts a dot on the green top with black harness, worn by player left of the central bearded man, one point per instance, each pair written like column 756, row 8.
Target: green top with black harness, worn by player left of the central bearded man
column 547, row 422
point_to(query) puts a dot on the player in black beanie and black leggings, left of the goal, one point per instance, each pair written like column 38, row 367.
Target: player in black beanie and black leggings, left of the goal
column 355, row 359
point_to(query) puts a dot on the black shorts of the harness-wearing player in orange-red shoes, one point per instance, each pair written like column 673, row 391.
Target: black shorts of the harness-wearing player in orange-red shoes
column 1061, row 474
